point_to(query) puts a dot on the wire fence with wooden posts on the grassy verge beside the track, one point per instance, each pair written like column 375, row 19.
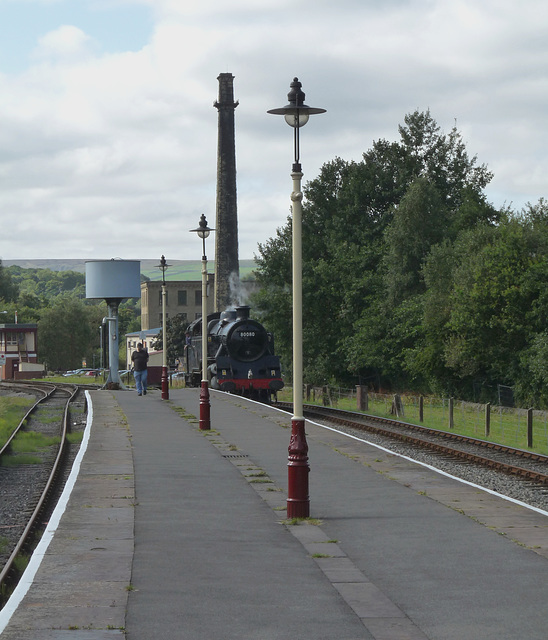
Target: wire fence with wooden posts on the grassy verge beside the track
column 514, row 427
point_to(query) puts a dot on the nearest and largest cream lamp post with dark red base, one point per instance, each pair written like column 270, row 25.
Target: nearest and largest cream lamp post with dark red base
column 296, row 115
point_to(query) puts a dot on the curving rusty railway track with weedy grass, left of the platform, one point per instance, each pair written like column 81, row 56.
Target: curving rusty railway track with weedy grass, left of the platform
column 29, row 487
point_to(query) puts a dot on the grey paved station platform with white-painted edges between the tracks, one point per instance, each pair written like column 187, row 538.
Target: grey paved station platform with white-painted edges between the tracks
column 179, row 534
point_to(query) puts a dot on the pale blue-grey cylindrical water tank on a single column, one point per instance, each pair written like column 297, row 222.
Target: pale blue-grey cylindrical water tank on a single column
column 113, row 281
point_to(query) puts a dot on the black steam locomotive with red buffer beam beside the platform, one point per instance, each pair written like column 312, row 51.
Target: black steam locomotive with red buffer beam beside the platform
column 240, row 355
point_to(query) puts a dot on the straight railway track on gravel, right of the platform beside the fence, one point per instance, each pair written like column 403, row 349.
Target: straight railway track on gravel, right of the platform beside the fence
column 519, row 463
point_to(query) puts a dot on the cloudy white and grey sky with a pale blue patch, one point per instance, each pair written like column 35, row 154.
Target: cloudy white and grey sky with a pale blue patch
column 108, row 134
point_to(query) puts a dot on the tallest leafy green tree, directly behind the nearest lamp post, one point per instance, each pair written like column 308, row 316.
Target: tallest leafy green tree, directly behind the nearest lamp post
column 368, row 227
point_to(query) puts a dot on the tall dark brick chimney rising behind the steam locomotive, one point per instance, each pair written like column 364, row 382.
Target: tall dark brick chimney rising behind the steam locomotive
column 227, row 270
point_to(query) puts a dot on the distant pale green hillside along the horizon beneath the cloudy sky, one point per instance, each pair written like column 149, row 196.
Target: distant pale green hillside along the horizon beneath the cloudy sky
column 179, row 269
